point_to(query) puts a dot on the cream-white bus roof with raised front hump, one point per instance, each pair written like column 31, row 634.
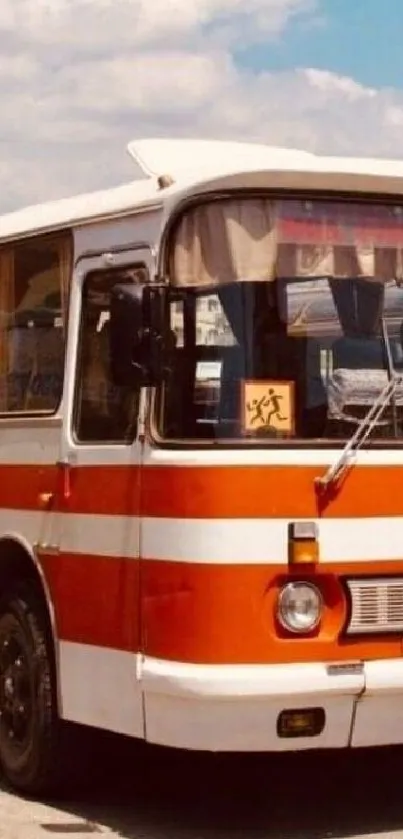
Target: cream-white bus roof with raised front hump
column 185, row 162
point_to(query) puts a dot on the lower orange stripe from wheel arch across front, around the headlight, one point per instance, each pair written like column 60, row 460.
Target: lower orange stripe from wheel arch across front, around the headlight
column 200, row 613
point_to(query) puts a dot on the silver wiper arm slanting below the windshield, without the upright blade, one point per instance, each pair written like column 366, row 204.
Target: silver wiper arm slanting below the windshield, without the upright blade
column 361, row 435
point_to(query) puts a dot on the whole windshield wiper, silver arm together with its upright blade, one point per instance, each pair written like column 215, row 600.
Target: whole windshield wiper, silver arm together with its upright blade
column 367, row 423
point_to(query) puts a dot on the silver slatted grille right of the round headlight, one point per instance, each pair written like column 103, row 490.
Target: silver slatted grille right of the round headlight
column 376, row 605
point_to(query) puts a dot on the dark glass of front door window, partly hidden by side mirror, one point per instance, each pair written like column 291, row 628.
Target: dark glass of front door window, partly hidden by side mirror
column 104, row 412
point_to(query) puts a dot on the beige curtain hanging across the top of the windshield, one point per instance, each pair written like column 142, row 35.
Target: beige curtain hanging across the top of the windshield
column 258, row 239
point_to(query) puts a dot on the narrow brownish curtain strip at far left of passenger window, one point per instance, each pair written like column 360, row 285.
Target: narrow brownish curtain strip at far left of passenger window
column 7, row 306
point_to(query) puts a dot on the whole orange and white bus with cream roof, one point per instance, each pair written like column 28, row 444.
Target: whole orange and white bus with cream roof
column 201, row 457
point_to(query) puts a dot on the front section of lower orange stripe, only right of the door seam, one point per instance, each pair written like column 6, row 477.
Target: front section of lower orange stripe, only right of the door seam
column 226, row 614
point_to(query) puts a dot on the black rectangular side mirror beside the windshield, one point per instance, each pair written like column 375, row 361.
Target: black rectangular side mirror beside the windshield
column 138, row 325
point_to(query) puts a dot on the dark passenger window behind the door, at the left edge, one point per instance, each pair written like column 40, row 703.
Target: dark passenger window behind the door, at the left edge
column 34, row 284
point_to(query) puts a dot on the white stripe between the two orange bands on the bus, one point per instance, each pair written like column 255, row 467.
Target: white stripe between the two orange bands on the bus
column 207, row 541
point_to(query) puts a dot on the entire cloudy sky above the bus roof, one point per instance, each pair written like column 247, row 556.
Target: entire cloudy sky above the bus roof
column 79, row 79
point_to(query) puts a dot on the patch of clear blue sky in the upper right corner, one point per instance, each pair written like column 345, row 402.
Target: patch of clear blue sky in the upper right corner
column 362, row 39
